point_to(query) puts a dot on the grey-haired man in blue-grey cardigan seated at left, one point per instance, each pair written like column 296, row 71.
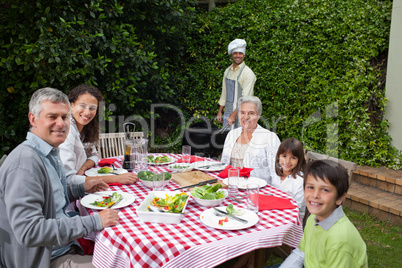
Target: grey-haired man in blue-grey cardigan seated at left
column 35, row 230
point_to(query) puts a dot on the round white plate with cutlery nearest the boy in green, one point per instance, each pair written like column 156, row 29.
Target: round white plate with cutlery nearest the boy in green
column 209, row 218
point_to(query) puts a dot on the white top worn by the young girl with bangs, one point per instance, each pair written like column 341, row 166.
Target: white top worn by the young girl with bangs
column 293, row 187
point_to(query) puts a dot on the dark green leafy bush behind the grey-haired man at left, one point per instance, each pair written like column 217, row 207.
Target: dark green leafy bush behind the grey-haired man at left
column 125, row 48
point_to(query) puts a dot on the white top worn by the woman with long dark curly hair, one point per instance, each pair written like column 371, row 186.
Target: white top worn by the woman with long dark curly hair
column 73, row 155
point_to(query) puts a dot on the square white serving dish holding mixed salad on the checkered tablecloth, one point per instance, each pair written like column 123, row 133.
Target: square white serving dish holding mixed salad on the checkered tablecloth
column 162, row 217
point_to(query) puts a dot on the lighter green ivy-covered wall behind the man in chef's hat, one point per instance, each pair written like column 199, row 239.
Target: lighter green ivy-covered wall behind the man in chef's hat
column 319, row 67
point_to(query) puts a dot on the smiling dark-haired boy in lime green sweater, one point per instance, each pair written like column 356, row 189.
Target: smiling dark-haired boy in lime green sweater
column 329, row 239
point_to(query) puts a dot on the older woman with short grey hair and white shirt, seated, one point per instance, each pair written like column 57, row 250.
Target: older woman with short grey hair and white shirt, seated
column 251, row 145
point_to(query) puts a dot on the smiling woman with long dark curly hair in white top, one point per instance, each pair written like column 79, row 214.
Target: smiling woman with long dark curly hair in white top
column 78, row 153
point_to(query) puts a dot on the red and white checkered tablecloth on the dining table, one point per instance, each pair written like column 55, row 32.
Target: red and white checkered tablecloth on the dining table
column 133, row 243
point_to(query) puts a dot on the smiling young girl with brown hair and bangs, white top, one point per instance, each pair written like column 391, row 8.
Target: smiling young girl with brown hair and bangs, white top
column 289, row 165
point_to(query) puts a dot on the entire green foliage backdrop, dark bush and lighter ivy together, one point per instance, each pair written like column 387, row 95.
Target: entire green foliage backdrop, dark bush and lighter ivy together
column 320, row 64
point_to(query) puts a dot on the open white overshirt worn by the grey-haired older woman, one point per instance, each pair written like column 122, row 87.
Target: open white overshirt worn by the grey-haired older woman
column 260, row 154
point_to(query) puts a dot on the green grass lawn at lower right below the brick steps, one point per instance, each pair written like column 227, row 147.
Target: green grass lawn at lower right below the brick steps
column 383, row 240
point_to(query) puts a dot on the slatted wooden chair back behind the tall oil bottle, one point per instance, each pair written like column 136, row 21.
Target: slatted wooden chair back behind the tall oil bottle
column 113, row 144
